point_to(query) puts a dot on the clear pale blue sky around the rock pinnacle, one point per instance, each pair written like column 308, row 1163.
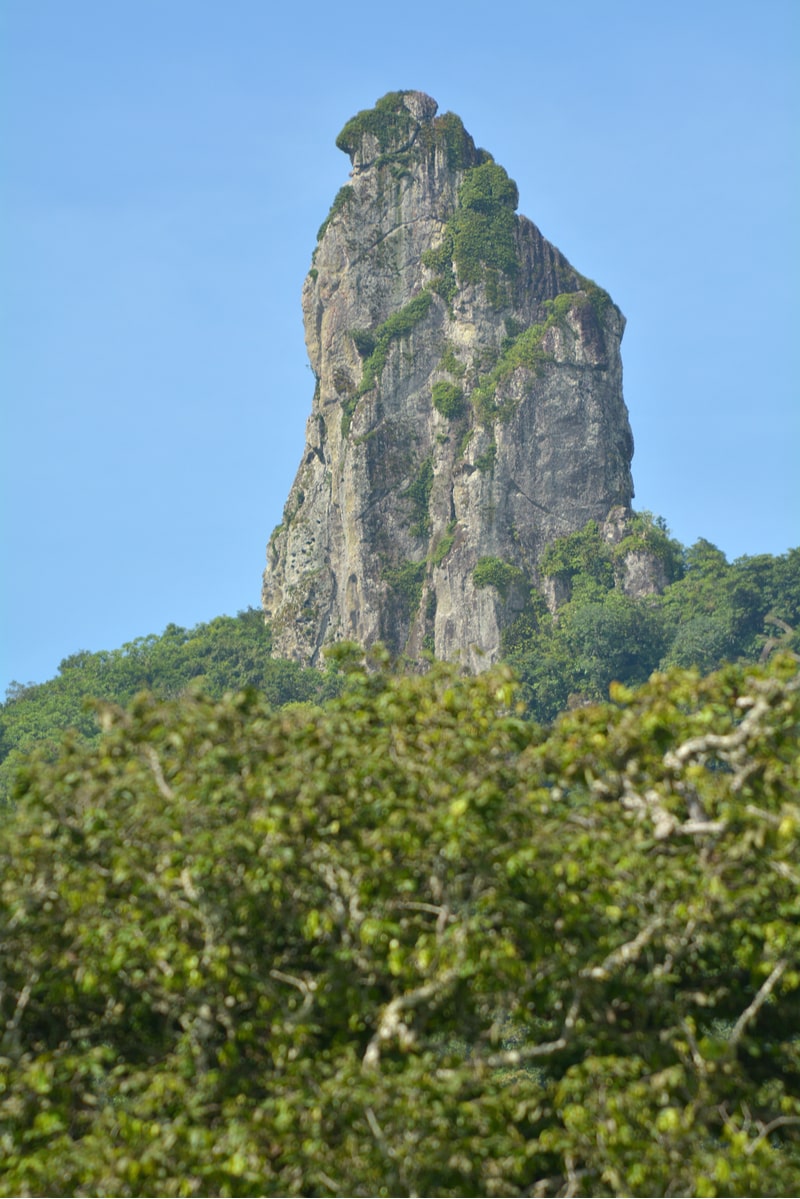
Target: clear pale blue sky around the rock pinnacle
column 165, row 166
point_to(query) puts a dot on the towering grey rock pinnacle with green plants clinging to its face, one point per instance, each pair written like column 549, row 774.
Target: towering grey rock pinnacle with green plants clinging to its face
column 468, row 407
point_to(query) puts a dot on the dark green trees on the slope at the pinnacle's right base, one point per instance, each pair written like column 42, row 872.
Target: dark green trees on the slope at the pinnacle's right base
column 711, row 613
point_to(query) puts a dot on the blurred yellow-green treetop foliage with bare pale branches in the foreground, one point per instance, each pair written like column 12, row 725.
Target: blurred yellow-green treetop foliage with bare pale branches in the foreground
column 408, row 945
